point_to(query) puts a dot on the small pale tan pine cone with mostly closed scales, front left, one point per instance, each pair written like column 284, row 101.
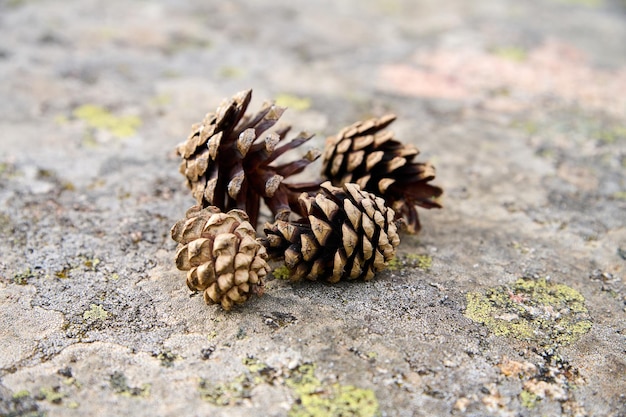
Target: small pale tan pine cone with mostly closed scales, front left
column 221, row 254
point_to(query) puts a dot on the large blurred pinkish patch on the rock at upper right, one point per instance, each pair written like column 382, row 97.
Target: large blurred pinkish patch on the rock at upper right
column 555, row 70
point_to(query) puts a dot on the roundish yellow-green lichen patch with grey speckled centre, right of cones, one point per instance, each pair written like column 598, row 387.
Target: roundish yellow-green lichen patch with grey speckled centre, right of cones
column 535, row 310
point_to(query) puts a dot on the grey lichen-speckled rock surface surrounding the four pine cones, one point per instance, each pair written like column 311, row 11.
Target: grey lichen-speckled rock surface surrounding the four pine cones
column 510, row 302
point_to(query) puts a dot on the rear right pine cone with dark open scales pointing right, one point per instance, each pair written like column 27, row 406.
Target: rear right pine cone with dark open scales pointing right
column 368, row 155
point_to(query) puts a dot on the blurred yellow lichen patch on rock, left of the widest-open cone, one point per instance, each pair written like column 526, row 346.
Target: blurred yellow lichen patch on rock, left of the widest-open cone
column 98, row 117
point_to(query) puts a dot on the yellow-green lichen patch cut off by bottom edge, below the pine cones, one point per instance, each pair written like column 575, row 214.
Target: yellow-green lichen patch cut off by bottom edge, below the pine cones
column 316, row 399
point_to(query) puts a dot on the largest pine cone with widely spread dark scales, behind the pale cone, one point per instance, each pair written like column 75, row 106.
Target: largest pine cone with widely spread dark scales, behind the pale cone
column 226, row 168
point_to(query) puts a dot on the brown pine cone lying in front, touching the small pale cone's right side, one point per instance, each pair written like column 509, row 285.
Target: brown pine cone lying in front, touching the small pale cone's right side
column 348, row 233
